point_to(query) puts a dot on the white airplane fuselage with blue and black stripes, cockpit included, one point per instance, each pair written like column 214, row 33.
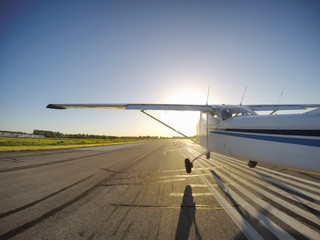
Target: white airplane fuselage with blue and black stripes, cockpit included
column 287, row 140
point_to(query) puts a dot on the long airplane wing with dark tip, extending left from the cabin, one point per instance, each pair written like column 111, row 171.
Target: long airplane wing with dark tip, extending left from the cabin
column 165, row 107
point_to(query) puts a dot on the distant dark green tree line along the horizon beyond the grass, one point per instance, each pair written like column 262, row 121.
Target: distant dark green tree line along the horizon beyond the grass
column 51, row 134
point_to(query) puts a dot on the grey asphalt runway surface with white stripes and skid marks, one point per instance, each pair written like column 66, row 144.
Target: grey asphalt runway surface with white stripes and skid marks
column 141, row 191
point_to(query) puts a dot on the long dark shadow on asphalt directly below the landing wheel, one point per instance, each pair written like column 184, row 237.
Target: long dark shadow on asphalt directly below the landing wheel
column 187, row 216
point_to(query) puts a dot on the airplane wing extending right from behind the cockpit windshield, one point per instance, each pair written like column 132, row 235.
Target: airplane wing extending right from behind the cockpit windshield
column 282, row 107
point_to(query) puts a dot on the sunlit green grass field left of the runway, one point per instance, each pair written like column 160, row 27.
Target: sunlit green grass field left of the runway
column 29, row 144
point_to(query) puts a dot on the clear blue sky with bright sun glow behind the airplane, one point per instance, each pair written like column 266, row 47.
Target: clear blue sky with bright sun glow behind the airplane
column 151, row 52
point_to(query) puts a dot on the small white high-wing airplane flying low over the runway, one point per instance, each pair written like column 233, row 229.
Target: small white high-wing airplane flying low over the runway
column 290, row 140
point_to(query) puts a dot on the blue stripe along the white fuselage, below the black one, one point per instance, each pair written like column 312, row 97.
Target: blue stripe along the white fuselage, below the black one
column 291, row 140
